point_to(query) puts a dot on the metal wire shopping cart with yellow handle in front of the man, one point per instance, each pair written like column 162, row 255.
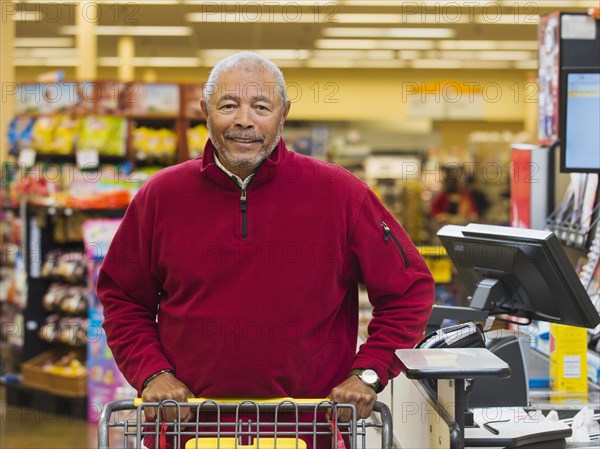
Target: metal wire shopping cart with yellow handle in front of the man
column 230, row 424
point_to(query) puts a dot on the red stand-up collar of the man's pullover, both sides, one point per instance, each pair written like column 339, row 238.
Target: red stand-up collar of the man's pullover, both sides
column 265, row 172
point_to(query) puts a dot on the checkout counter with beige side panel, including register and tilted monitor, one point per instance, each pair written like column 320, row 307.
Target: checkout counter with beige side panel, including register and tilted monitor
column 467, row 388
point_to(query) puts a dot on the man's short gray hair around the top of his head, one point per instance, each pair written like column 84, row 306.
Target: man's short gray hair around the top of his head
column 249, row 61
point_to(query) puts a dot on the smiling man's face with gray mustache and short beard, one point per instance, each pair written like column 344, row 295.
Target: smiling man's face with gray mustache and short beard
column 245, row 118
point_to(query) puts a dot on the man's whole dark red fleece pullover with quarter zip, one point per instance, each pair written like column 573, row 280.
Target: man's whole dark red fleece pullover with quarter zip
column 258, row 297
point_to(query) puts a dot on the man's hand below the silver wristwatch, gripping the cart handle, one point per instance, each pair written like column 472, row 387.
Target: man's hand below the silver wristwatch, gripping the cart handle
column 354, row 391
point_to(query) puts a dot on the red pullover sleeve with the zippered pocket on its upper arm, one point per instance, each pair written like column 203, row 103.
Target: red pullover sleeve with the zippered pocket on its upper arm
column 399, row 284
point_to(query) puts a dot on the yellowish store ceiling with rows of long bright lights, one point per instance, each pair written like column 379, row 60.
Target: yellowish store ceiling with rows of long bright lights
column 297, row 26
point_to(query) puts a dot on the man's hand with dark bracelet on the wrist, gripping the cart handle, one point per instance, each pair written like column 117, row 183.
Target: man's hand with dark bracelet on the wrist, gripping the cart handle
column 162, row 387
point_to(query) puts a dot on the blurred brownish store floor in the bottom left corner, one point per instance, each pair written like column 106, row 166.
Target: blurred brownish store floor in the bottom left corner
column 22, row 428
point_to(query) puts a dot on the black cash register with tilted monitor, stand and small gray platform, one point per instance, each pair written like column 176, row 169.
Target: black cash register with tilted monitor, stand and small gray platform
column 511, row 272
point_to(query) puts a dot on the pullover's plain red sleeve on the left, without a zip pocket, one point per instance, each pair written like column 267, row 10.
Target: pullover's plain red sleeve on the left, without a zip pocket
column 130, row 296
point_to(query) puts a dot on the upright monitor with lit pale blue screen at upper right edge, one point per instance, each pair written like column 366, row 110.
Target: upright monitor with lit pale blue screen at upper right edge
column 580, row 120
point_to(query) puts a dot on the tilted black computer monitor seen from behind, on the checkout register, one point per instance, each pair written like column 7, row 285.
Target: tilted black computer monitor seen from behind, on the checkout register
column 519, row 272
